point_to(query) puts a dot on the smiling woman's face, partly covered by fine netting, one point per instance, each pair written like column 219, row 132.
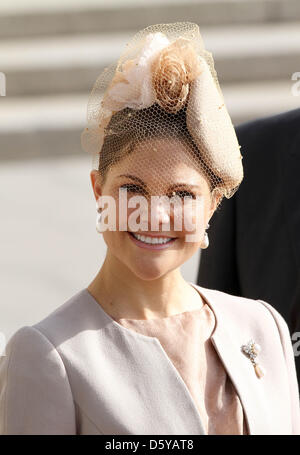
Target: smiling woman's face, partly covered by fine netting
column 155, row 168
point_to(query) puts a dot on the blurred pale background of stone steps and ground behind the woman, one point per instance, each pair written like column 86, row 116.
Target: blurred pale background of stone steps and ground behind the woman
column 51, row 54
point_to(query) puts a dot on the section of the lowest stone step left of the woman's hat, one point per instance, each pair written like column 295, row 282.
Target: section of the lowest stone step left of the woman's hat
column 41, row 126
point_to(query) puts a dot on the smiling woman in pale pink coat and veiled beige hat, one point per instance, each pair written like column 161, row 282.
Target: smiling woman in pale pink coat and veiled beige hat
column 140, row 350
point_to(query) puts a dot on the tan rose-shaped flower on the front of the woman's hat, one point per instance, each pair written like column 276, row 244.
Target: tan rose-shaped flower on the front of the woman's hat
column 176, row 66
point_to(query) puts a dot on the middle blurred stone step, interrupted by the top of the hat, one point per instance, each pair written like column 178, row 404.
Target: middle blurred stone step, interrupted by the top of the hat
column 71, row 64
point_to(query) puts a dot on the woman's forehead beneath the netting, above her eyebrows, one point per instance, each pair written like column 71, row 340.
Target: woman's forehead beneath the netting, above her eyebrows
column 161, row 161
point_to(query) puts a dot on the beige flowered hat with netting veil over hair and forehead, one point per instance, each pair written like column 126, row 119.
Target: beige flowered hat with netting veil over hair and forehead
column 163, row 91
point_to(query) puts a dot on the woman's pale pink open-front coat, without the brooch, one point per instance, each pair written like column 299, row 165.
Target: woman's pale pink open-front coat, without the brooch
column 78, row 371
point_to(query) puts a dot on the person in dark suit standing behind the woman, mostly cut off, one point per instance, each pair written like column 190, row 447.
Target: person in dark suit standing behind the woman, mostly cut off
column 254, row 237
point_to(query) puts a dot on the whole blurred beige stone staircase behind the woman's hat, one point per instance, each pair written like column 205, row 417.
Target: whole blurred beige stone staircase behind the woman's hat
column 52, row 54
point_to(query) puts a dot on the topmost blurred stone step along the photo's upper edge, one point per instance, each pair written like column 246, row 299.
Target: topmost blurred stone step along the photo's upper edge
column 32, row 18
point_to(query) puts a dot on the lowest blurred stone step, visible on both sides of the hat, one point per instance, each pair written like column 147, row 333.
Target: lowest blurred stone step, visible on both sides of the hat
column 51, row 126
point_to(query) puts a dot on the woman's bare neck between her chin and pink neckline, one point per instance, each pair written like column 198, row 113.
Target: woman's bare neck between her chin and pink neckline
column 122, row 294
